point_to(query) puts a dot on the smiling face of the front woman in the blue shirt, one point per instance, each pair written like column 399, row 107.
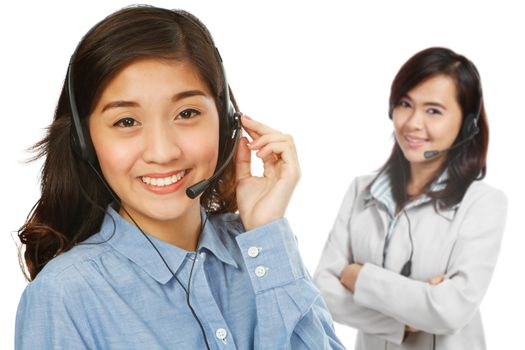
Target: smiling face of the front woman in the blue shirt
column 155, row 130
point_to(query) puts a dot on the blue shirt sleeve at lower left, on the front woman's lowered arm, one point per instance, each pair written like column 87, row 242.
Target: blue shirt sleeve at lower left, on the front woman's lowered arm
column 44, row 321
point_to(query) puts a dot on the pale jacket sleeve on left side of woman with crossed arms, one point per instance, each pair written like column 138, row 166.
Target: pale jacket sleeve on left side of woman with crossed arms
column 336, row 255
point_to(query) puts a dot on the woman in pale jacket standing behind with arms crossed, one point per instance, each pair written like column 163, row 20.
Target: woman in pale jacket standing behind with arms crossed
column 413, row 248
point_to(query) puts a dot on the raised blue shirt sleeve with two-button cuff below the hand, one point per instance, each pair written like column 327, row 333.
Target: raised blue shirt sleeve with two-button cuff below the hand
column 291, row 314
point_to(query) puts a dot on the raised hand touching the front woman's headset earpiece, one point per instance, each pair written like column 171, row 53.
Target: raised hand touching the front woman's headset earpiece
column 262, row 200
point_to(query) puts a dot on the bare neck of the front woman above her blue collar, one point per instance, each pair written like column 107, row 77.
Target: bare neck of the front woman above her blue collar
column 183, row 232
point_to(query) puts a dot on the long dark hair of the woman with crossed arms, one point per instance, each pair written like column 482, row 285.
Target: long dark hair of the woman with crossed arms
column 466, row 163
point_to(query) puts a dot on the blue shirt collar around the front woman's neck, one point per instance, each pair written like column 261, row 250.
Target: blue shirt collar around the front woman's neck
column 127, row 239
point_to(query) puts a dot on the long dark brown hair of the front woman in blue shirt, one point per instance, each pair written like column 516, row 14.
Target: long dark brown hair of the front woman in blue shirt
column 73, row 201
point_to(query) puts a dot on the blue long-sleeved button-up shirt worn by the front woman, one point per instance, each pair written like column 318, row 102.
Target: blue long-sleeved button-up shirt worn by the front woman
column 249, row 289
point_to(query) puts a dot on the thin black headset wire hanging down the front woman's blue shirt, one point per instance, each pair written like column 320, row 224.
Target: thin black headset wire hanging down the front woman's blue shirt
column 187, row 291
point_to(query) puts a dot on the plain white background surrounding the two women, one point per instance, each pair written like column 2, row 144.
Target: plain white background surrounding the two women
column 318, row 70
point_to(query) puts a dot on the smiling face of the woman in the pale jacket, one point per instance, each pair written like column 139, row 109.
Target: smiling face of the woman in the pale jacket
column 427, row 118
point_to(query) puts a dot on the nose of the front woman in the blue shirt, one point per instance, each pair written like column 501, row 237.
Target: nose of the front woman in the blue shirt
column 160, row 145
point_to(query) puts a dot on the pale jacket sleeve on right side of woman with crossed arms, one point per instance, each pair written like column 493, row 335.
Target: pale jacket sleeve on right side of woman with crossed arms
column 450, row 305
